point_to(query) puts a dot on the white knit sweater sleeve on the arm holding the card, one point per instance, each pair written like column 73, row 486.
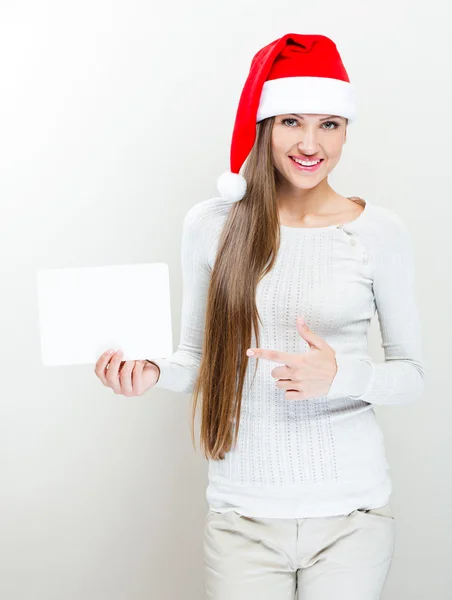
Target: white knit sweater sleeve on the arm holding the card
column 178, row 372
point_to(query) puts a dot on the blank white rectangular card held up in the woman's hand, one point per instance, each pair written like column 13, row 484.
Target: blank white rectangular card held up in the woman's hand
column 85, row 311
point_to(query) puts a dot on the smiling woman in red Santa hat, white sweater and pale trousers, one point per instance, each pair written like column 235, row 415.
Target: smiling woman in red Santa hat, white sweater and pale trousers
column 299, row 486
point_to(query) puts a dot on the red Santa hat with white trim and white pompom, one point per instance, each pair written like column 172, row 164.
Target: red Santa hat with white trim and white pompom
column 297, row 73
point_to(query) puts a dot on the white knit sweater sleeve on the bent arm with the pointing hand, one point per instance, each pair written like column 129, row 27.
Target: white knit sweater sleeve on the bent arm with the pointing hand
column 400, row 378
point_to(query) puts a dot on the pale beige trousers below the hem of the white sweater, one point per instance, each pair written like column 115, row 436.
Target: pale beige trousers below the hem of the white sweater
column 344, row 557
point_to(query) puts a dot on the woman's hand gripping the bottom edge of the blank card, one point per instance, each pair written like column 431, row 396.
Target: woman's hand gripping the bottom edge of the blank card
column 130, row 377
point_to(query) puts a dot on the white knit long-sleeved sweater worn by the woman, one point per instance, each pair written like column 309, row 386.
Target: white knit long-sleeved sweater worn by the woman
column 324, row 456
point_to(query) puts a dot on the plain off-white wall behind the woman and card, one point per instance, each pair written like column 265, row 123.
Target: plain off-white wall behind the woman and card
column 116, row 117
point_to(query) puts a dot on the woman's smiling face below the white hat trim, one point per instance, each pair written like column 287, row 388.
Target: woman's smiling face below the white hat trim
column 309, row 137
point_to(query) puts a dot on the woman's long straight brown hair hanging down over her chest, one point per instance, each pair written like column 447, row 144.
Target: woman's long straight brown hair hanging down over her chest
column 247, row 250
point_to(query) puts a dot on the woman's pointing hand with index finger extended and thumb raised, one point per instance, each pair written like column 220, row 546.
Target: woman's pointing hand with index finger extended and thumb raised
column 303, row 376
